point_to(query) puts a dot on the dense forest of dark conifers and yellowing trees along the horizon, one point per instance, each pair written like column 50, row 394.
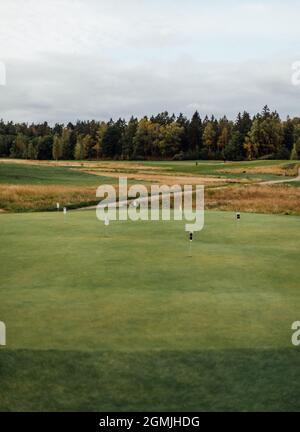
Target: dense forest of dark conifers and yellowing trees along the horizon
column 161, row 137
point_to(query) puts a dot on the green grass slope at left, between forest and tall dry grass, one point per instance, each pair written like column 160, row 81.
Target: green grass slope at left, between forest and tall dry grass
column 18, row 173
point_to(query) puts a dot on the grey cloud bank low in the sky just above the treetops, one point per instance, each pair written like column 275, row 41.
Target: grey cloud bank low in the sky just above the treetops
column 70, row 87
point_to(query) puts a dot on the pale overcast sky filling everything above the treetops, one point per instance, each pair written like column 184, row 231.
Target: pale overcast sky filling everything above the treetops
column 94, row 59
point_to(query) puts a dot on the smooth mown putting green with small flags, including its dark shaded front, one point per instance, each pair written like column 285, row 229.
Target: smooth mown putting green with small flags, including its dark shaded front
column 120, row 318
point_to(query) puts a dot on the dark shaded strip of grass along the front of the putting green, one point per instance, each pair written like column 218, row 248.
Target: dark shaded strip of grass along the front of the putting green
column 243, row 380
